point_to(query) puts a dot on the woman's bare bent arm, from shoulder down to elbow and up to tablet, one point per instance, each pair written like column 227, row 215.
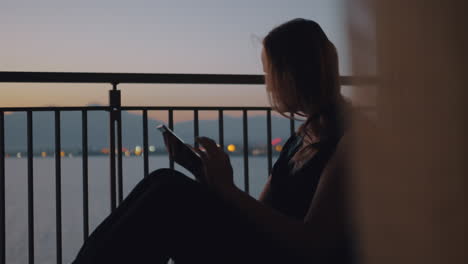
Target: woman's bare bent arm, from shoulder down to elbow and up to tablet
column 311, row 238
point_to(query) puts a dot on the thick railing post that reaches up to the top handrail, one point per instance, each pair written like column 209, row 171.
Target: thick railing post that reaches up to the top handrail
column 114, row 103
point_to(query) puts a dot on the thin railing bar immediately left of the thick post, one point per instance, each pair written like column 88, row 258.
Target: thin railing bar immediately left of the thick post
column 84, row 157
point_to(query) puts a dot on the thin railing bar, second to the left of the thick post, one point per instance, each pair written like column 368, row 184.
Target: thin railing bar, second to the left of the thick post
column 58, row 188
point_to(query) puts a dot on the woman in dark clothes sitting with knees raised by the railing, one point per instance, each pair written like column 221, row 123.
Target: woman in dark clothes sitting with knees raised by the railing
column 301, row 215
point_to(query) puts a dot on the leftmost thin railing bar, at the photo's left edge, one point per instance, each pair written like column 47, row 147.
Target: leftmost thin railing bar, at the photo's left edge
column 2, row 190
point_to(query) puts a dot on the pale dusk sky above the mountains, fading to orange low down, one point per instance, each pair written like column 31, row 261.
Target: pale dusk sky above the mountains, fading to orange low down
column 203, row 36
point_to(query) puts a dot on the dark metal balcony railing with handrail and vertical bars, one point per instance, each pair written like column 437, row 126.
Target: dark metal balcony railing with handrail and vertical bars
column 115, row 135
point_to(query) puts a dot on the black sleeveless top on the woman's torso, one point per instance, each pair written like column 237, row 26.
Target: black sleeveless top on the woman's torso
column 291, row 191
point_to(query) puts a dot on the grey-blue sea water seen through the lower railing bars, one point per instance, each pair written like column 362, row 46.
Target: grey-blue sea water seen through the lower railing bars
column 45, row 250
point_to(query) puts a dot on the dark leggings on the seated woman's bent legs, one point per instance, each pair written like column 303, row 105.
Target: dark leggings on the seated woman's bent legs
column 168, row 215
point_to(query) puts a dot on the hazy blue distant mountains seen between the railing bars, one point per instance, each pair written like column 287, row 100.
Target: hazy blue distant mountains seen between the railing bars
column 98, row 130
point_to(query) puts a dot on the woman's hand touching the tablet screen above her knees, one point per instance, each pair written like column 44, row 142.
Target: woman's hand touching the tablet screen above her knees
column 217, row 167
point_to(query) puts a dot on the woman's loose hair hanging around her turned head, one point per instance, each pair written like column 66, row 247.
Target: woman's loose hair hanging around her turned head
column 303, row 77
